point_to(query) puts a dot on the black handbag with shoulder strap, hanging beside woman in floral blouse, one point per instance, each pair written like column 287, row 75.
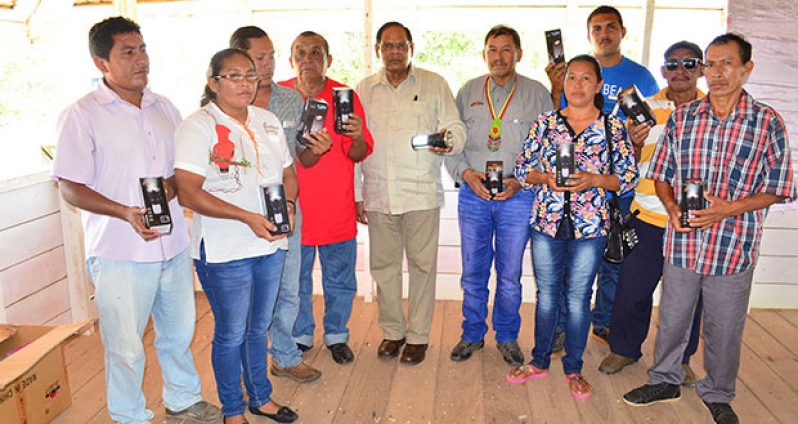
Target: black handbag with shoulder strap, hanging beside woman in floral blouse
column 621, row 237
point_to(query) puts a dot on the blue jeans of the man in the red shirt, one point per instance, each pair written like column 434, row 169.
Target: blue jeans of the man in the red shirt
column 339, row 285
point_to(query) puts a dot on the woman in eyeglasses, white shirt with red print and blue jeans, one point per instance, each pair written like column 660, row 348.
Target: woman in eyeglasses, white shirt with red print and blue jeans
column 226, row 153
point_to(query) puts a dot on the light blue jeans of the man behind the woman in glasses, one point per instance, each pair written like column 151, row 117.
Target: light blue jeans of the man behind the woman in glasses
column 283, row 349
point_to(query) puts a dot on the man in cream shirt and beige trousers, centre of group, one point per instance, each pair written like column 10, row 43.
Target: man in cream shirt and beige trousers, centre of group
column 402, row 190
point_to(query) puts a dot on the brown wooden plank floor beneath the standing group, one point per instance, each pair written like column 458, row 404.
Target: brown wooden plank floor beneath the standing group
column 474, row 391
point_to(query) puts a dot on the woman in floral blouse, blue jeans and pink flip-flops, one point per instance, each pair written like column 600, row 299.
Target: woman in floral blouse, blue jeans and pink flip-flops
column 570, row 220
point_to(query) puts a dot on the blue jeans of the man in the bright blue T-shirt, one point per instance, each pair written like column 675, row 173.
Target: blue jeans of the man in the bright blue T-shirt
column 608, row 276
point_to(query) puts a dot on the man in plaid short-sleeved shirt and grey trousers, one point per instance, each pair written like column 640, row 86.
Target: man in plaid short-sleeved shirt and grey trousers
column 738, row 149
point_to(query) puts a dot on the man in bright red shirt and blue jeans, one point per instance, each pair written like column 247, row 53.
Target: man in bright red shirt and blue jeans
column 328, row 201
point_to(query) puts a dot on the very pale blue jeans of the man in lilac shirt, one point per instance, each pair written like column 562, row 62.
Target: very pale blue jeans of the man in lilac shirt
column 126, row 293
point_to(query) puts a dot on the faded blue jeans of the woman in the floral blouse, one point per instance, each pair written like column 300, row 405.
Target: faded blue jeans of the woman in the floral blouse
column 563, row 267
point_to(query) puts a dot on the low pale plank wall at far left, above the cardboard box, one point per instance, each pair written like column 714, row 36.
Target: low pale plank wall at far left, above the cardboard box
column 33, row 273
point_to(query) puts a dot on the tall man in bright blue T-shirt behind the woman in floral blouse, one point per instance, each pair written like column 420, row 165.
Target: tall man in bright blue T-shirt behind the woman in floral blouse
column 605, row 32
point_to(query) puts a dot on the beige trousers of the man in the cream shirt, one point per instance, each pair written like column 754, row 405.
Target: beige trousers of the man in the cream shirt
column 414, row 234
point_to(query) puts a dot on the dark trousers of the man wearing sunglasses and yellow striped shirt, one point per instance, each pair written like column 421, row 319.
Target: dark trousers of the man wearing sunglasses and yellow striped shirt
column 631, row 313
